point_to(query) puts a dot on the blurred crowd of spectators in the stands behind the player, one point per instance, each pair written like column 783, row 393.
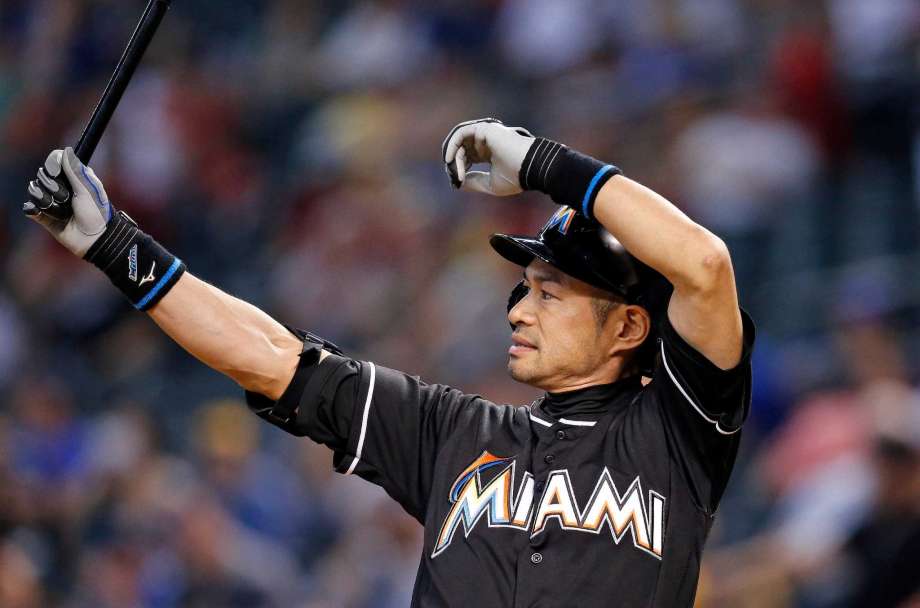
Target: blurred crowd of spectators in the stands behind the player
column 288, row 150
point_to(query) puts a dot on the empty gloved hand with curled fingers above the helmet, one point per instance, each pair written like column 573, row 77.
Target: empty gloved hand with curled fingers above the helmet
column 486, row 140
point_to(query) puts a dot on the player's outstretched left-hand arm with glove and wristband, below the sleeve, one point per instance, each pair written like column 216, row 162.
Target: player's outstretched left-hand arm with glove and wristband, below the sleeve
column 227, row 334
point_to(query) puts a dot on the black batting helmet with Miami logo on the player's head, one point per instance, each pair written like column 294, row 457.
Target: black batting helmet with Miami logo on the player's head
column 583, row 249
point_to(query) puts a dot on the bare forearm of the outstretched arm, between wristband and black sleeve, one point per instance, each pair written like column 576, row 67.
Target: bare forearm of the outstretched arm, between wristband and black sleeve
column 229, row 335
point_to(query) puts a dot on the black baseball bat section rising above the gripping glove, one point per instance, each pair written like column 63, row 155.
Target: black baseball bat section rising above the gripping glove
column 128, row 63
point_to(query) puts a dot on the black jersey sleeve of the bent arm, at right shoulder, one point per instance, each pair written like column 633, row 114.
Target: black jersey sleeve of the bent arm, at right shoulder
column 703, row 408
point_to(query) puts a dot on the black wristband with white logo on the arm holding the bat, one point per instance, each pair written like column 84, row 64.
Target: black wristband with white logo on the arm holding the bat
column 139, row 266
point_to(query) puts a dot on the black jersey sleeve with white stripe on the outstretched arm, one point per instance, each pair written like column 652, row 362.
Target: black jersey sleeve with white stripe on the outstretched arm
column 382, row 425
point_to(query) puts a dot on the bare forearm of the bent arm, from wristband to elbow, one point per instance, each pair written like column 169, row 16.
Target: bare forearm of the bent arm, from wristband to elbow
column 662, row 236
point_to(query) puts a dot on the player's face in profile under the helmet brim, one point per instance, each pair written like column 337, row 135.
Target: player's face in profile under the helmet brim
column 559, row 340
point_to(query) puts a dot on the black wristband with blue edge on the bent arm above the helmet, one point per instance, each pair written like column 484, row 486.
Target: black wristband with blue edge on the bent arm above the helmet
column 568, row 177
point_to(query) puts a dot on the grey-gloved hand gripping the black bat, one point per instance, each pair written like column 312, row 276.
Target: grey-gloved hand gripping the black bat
column 69, row 201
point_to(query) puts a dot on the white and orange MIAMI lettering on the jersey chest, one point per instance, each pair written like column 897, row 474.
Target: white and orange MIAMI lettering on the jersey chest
column 607, row 507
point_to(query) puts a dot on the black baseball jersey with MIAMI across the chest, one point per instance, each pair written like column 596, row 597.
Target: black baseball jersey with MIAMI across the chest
column 600, row 497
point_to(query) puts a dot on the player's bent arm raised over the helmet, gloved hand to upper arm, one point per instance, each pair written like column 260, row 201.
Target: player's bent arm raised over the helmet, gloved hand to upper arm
column 704, row 307
